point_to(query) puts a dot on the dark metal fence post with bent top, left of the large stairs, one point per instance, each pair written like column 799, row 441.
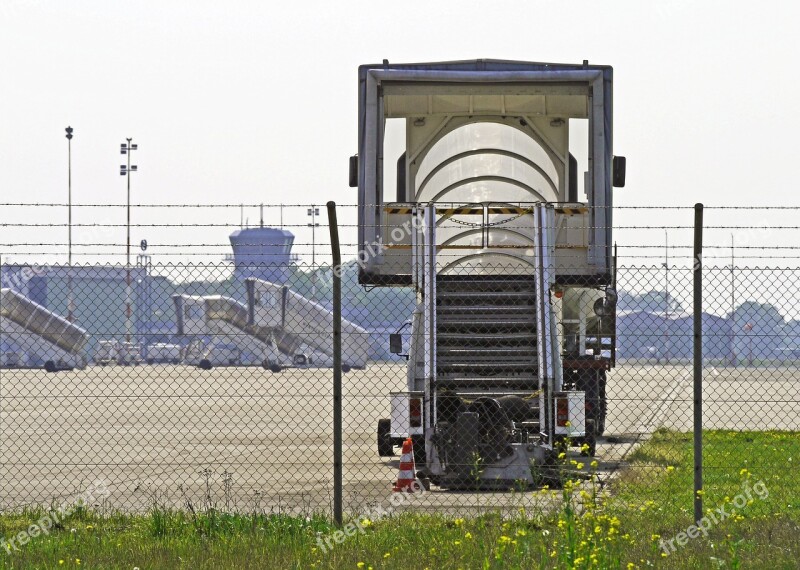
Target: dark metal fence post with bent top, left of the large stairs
column 337, row 363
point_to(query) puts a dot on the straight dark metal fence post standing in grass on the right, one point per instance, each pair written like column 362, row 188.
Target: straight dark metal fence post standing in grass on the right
column 698, row 361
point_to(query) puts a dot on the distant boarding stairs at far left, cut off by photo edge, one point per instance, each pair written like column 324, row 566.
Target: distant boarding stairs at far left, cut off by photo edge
column 36, row 336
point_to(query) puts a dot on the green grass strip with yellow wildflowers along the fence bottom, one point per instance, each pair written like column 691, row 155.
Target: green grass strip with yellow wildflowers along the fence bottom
column 620, row 527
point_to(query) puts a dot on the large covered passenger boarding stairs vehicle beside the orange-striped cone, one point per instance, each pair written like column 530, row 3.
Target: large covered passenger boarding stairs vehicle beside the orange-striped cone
column 514, row 274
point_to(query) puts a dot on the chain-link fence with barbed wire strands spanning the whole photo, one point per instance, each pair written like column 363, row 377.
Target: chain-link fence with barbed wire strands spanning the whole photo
column 193, row 367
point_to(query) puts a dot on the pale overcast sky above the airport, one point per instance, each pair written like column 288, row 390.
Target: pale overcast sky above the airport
column 255, row 102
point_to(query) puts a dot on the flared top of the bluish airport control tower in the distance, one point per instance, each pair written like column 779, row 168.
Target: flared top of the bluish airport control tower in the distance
column 264, row 253
